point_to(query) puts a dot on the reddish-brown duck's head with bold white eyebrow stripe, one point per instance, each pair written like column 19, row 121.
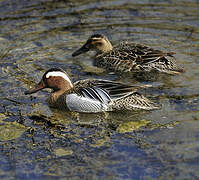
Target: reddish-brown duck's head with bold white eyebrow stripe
column 56, row 79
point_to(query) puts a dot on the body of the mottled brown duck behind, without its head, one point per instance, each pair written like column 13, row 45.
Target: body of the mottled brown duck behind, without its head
column 131, row 57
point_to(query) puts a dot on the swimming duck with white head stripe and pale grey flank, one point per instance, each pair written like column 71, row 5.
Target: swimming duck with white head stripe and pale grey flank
column 91, row 95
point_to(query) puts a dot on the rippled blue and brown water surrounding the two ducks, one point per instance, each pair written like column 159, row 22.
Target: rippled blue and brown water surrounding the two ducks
column 37, row 142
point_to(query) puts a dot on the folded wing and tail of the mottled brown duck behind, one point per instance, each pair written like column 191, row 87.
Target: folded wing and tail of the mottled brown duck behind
column 148, row 59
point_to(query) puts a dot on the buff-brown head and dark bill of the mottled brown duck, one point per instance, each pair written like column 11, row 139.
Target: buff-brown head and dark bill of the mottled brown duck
column 96, row 42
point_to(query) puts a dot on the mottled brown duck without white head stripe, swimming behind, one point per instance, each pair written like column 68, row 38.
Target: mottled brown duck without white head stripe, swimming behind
column 129, row 57
